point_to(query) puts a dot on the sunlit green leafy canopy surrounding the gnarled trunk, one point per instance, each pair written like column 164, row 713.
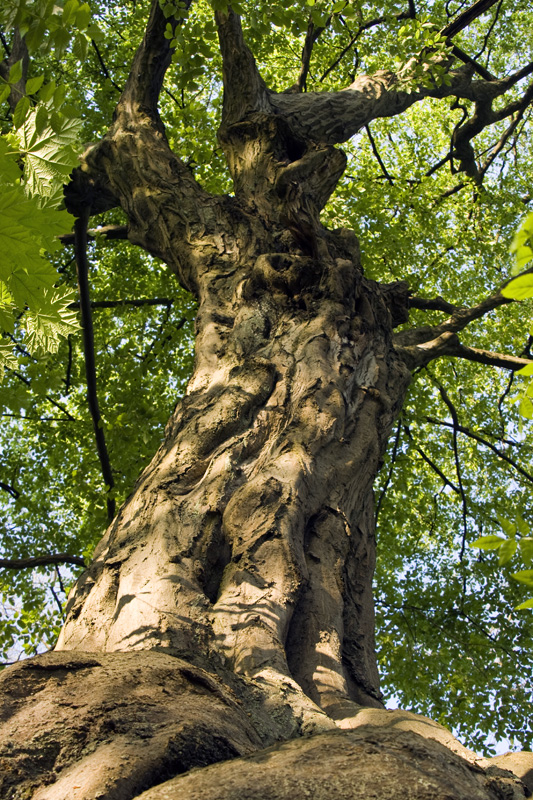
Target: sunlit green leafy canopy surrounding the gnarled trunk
column 434, row 191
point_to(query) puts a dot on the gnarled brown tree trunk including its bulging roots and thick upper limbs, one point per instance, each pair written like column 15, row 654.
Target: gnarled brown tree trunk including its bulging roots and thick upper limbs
column 229, row 605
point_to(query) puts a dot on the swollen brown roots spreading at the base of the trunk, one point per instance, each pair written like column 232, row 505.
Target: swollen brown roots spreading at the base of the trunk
column 120, row 726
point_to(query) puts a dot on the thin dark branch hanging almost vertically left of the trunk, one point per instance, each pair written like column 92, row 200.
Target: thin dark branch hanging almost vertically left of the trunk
column 82, row 268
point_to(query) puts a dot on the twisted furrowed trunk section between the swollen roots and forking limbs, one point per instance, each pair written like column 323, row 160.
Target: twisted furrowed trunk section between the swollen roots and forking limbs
column 250, row 536
